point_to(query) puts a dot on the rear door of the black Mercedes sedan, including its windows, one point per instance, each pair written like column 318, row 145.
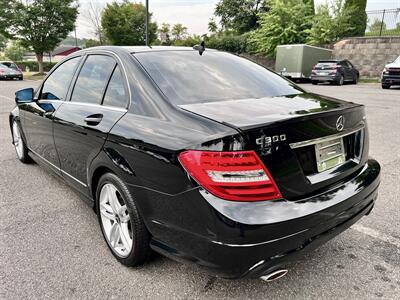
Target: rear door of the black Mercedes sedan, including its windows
column 81, row 125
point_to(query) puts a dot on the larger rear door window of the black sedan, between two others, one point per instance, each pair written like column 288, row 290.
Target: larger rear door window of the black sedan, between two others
column 92, row 79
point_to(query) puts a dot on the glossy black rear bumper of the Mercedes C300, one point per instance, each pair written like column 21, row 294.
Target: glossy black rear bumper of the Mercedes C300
column 234, row 249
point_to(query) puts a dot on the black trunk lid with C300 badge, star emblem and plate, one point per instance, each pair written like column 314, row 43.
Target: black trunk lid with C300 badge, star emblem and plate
column 289, row 132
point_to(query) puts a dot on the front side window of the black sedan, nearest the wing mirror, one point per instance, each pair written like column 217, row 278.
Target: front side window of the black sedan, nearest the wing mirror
column 56, row 85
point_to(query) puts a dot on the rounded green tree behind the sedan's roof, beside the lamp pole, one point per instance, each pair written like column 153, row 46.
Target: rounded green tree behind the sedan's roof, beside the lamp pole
column 124, row 24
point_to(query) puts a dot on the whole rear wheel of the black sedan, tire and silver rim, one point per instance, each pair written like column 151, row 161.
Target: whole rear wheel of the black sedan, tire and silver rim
column 121, row 227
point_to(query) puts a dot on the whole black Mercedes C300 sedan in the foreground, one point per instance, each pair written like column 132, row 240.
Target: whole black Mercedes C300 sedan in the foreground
column 207, row 158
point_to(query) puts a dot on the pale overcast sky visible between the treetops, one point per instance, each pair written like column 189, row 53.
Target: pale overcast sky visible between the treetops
column 194, row 14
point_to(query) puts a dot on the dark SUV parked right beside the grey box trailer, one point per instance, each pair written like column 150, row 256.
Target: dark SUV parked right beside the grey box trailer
column 334, row 71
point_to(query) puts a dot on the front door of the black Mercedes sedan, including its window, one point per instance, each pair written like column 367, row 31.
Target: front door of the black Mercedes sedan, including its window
column 38, row 115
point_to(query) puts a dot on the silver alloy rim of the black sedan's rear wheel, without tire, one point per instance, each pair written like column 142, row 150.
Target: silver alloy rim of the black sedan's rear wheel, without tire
column 115, row 220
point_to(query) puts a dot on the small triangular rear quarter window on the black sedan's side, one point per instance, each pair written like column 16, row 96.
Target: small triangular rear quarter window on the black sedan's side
column 116, row 94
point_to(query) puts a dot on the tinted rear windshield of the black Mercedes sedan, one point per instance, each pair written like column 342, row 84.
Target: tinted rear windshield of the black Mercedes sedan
column 185, row 77
